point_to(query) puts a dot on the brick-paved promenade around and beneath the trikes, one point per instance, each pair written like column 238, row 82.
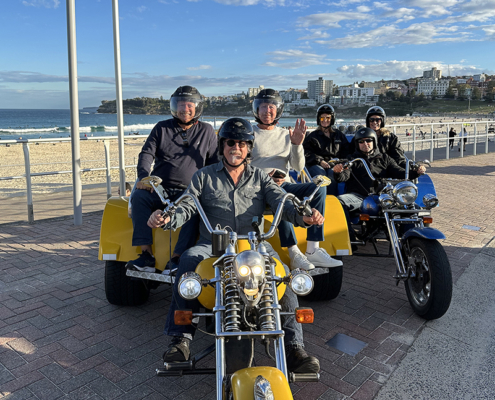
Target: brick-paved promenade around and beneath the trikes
column 59, row 338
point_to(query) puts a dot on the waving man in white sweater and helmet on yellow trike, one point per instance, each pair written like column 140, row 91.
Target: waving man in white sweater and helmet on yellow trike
column 276, row 151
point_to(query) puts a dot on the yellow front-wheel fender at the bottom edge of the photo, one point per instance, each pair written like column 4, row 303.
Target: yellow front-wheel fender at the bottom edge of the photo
column 243, row 383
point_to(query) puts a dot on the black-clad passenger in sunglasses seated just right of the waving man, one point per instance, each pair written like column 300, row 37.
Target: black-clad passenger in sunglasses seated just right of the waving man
column 324, row 144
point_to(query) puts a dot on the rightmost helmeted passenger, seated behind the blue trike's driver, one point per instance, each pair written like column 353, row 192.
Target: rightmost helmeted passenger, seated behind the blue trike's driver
column 388, row 142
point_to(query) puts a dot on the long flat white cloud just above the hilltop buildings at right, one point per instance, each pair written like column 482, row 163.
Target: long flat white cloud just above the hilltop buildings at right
column 404, row 69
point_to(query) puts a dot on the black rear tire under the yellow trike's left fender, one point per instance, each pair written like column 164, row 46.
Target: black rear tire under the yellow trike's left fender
column 120, row 289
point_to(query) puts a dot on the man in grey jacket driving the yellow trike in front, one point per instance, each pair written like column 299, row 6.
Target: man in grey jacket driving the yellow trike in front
column 231, row 193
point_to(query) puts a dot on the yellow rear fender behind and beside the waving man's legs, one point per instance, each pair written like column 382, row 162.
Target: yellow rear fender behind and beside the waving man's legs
column 336, row 243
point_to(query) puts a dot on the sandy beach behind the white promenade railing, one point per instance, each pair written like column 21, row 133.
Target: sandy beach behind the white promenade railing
column 48, row 157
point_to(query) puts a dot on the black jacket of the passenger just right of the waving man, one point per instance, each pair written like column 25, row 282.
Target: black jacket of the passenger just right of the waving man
column 318, row 147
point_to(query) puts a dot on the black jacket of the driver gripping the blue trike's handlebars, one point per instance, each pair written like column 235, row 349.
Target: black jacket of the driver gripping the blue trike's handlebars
column 381, row 166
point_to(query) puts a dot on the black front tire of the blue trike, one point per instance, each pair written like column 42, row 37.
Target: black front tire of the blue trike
column 430, row 291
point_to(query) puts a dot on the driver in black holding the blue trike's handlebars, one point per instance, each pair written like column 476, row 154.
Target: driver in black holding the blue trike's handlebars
column 359, row 184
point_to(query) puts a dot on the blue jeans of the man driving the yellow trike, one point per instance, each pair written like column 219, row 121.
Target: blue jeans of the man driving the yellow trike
column 188, row 262
